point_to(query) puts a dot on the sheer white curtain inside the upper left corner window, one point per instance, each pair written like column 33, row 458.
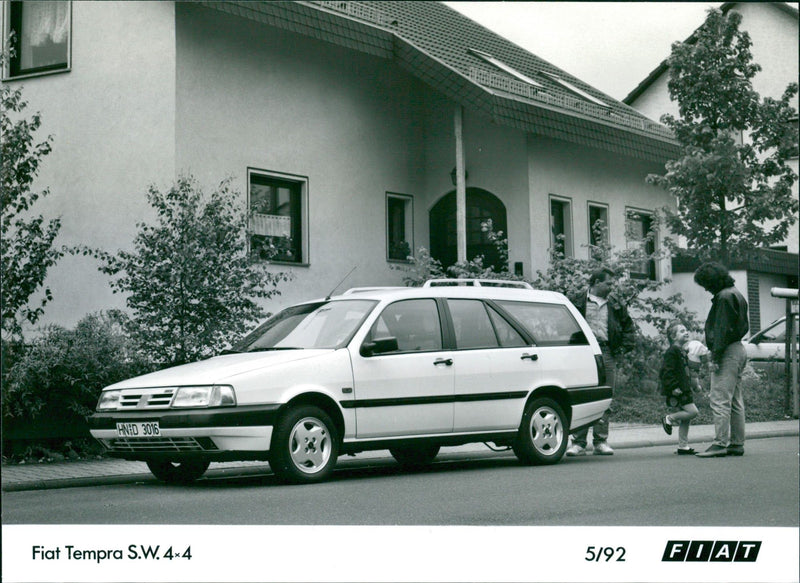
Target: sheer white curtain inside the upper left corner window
column 43, row 24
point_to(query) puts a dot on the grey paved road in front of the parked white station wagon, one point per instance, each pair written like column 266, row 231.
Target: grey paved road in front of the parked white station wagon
column 646, row 486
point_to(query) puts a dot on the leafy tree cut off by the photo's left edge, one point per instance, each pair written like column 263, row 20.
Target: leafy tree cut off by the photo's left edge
column 26, row 239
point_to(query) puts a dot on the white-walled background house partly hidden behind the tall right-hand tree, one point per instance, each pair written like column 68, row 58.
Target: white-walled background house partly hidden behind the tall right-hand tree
column 773, row 30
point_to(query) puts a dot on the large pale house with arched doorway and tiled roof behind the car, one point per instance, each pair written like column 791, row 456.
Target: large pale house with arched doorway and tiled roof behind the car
column 354, row 131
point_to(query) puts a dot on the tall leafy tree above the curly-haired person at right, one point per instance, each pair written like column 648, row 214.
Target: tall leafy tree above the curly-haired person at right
column 732, row 197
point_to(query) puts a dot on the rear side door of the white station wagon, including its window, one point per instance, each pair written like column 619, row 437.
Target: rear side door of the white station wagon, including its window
column 494, row 365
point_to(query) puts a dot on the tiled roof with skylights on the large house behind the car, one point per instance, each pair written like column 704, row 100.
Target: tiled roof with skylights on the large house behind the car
column 442, row 47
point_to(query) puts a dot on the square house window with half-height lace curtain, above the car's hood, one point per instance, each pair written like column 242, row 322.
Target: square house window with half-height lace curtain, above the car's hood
column 277, row 205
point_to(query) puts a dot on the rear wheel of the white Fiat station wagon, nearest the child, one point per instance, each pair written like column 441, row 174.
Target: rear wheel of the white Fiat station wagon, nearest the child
column 543, row 434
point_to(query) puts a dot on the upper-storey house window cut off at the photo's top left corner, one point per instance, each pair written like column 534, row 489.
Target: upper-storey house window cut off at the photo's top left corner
column 41, row 37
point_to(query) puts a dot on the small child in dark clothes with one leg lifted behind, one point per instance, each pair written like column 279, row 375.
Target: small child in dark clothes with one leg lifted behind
column 676, row 385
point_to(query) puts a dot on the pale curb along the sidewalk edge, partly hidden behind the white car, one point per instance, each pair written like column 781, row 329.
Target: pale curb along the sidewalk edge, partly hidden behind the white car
column 56, row 483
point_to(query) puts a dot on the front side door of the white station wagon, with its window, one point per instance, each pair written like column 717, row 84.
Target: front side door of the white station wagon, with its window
column 408, row 391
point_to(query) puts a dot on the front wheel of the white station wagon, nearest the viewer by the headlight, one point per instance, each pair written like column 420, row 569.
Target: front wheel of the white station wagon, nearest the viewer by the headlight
column 305, row 446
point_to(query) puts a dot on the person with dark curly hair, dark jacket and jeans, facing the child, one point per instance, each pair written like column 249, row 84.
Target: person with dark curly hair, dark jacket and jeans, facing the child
column 726, row 325
